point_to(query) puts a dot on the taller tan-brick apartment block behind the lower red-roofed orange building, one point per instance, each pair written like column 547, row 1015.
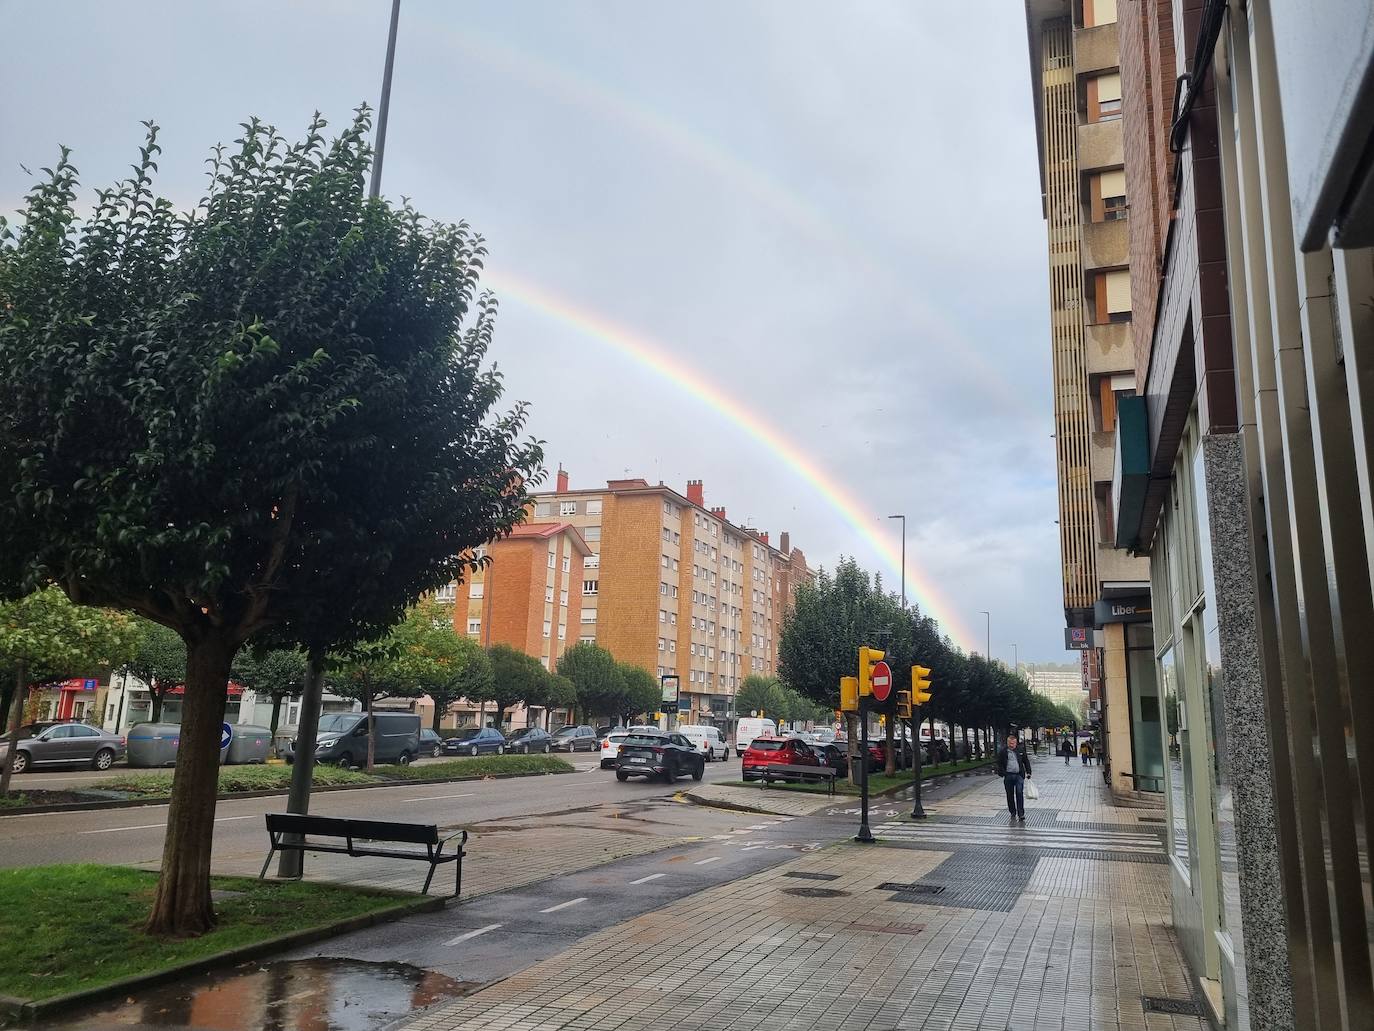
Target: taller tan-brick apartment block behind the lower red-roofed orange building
column 677, row 588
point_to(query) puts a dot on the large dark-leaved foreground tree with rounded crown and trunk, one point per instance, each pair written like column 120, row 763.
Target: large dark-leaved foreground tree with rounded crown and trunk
column 286, row 423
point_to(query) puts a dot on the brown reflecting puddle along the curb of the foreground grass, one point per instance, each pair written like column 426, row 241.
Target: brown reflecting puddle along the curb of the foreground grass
column 321, row 995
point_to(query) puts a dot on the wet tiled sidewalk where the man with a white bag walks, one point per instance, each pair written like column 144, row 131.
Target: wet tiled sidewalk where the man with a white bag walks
column 962, row 922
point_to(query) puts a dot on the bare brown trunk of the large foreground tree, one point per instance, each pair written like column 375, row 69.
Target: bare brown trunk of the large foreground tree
column 182, row 905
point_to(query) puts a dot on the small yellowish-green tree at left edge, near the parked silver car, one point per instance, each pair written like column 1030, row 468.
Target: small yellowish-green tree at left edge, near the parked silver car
column 45, row 637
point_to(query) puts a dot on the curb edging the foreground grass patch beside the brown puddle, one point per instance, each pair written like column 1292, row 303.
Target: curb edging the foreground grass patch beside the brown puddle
column 31, row 1011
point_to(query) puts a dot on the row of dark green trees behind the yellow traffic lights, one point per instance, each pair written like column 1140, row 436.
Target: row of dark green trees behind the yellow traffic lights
column 848, row 608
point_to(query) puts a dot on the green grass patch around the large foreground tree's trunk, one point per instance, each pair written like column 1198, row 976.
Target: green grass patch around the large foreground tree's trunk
column 67, row 929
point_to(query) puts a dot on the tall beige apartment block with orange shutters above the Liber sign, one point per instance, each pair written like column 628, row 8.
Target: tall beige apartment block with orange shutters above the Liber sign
column 1094, row 292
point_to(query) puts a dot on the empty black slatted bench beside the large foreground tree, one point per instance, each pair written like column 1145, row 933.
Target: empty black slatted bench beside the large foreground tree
column 343, row 838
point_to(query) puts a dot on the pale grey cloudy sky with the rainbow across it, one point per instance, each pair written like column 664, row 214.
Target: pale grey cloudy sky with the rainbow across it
column 792, row 250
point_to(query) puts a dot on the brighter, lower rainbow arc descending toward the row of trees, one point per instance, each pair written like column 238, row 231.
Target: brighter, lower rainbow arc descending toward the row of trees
column 660, row 359
